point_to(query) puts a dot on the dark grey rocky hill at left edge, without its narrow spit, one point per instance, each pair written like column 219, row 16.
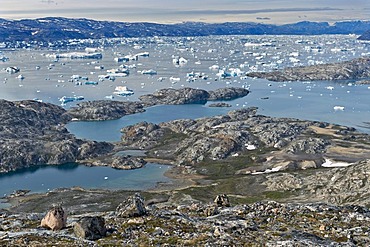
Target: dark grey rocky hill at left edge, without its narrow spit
column 33, row 133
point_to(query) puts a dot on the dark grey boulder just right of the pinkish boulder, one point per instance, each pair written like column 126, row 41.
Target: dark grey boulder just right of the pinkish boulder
column 90, row 227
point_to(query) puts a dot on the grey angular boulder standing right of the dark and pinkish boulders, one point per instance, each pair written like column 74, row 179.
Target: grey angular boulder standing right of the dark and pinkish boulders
column 132, row 207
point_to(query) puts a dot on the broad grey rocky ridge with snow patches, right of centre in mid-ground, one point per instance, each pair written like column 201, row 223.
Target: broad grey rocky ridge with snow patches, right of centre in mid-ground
column 281, row 143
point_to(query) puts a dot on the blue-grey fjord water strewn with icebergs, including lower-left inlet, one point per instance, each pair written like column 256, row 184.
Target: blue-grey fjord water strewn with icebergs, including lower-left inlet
column 304, row 100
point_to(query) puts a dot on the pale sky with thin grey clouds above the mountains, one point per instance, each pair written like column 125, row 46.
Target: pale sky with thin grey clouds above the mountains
column 175, row 11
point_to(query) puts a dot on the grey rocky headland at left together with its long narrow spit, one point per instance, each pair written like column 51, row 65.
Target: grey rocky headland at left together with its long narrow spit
column 34, row 133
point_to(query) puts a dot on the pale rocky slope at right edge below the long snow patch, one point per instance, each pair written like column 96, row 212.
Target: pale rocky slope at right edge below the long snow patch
column 341, row 185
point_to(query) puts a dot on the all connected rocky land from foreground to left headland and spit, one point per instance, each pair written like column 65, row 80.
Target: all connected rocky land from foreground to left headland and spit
column 237, row 179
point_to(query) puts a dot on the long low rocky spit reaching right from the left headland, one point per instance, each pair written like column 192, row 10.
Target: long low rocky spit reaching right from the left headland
column 108, row 109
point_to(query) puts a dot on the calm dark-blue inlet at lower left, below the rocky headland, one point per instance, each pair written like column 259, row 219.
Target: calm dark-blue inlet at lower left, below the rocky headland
column 45, row 178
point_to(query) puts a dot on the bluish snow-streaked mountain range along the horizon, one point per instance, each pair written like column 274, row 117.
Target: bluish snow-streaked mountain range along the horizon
column 53, row 29
